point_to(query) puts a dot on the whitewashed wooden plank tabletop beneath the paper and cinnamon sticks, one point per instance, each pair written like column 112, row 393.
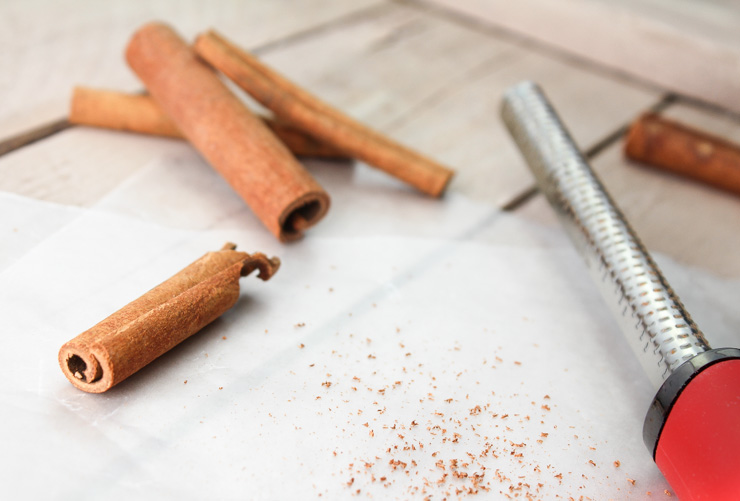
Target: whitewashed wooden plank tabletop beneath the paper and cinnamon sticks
column 426, row 73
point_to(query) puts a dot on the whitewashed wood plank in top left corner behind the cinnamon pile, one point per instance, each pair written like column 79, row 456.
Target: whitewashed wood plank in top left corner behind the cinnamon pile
column 48, row 47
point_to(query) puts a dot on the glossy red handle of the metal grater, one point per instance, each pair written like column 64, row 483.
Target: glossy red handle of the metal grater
column 699, row 447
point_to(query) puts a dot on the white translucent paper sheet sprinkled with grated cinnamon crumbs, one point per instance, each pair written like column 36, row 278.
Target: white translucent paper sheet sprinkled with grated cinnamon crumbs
column 408, row 347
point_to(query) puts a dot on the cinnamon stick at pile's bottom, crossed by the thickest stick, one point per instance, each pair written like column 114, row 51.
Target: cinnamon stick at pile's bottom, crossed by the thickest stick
column 139, row 113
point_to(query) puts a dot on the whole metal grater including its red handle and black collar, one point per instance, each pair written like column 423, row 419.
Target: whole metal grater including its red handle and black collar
column 691, row 427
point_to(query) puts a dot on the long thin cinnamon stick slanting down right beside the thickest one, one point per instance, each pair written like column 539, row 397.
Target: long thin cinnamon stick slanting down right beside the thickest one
column 299, row 108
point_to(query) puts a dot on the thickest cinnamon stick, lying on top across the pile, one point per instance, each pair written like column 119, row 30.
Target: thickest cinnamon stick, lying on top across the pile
column 234, row 141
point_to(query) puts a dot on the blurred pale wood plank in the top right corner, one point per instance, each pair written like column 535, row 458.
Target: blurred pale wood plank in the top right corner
column 695, row 51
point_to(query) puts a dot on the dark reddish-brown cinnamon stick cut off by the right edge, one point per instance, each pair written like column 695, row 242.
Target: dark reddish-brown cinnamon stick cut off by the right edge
column 665, row 144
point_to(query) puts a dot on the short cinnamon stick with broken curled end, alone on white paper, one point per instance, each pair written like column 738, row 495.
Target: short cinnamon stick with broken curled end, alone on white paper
column 141, row 331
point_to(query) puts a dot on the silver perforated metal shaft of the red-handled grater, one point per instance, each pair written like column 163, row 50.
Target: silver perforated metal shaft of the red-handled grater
column 655, row 323
